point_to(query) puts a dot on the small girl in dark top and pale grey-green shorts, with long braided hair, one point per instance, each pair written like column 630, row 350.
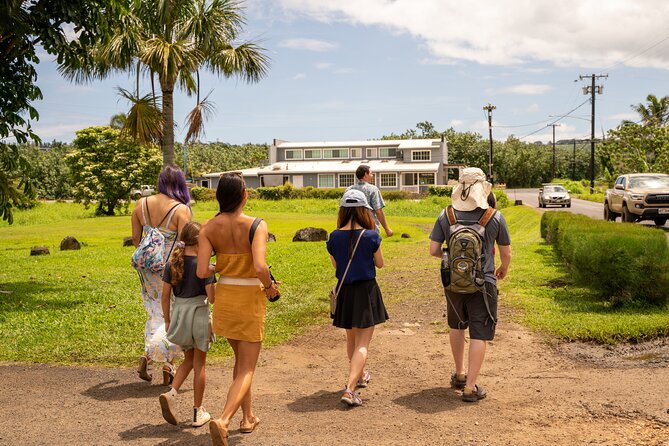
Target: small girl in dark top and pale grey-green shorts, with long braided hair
column 188, row 325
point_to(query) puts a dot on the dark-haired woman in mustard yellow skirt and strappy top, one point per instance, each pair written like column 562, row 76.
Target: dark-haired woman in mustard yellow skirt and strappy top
column 242, row 291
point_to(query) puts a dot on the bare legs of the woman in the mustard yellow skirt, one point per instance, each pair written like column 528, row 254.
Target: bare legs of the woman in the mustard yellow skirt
column 239, row 394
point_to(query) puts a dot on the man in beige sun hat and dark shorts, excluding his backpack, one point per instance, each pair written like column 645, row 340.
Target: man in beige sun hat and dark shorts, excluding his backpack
column 476, row 311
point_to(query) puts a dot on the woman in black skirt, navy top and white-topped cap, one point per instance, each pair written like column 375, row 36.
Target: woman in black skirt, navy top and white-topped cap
column 359, row 302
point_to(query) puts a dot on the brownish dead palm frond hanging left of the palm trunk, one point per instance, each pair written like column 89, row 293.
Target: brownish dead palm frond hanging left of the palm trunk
column 144, row 121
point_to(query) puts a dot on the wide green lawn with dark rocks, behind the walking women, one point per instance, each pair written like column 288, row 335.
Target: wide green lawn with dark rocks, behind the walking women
column 85, row 307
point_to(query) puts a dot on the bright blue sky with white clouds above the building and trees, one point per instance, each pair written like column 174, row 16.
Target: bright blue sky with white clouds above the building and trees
column 361, row 69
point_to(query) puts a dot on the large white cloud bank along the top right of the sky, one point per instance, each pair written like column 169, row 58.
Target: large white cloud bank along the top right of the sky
column 578, row 33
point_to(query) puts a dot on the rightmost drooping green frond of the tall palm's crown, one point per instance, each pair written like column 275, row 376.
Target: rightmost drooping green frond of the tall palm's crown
column 248, row 61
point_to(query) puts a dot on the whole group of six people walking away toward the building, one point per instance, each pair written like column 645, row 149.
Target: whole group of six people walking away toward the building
column 177, row 298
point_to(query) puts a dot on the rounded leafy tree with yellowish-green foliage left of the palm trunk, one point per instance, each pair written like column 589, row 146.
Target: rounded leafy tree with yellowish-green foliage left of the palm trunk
column 106, row 166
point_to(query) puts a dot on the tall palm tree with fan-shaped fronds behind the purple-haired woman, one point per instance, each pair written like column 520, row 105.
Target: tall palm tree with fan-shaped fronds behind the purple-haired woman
column 173, row 40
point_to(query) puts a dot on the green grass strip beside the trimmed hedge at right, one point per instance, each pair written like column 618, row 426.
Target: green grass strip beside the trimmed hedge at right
column 540, row 286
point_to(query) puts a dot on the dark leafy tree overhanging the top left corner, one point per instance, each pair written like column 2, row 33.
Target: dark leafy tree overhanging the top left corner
column 24, row 25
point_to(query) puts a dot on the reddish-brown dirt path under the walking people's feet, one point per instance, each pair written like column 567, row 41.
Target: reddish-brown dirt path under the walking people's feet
column 539, row 393
